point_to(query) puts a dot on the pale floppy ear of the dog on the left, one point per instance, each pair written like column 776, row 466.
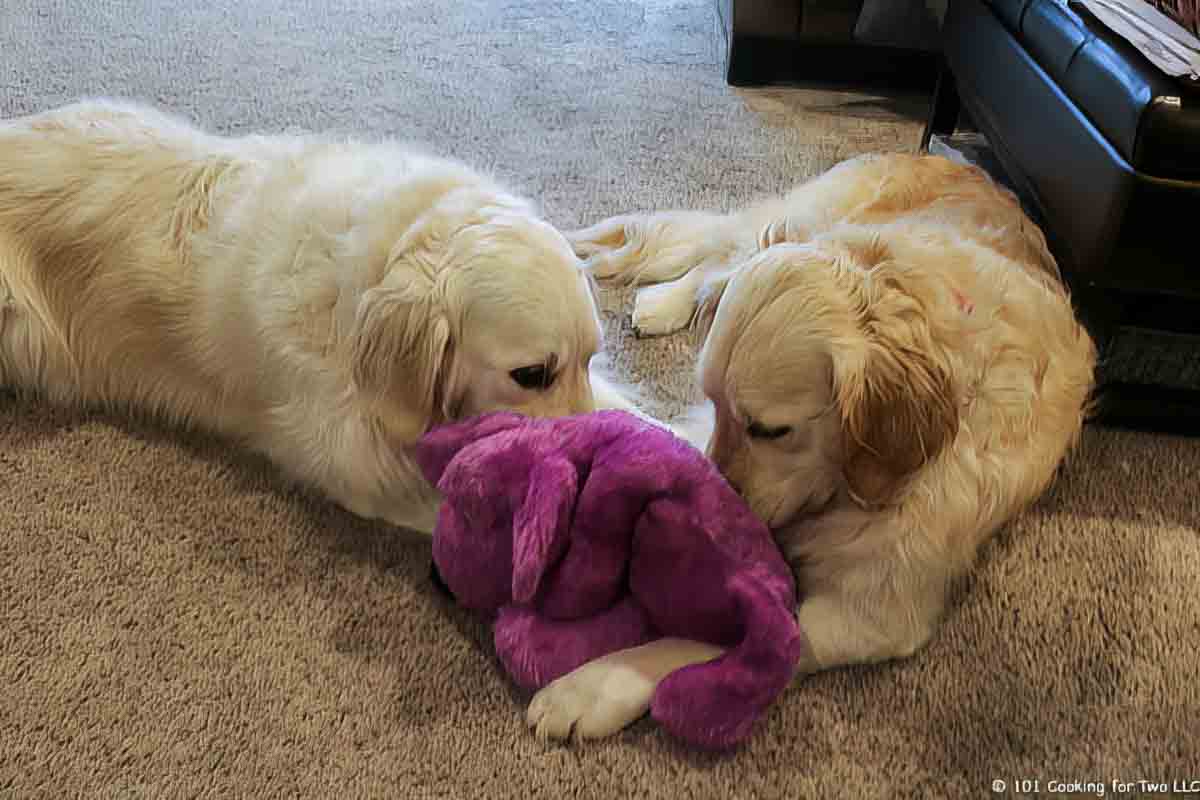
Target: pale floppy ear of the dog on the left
column 400, row 345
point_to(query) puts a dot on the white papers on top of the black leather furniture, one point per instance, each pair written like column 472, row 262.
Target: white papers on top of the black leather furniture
column 1162, row 40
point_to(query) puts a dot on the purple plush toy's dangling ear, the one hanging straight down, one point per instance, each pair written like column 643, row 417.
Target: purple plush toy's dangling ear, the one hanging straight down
column 542, row 525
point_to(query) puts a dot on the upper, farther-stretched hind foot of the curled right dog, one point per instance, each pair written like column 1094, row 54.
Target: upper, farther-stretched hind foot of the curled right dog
column 647, row 249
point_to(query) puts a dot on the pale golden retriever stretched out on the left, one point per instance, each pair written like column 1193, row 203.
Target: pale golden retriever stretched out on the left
column 323, row 302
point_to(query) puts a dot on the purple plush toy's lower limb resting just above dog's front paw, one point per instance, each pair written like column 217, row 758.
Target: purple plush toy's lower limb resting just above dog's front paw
column 537, row 651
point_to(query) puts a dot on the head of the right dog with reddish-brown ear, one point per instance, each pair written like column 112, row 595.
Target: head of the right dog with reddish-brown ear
column 825, row 377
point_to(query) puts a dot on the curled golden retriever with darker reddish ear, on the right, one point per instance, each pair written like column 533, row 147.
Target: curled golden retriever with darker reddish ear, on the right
column 895, row 371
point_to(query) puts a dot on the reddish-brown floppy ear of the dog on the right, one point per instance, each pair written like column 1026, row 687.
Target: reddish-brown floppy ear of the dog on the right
column 897, row 402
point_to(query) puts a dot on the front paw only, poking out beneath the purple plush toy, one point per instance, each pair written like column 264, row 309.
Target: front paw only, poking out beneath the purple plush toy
column 596, row 701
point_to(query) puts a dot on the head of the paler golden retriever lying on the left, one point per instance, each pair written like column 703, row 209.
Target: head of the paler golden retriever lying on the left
column 481, row 306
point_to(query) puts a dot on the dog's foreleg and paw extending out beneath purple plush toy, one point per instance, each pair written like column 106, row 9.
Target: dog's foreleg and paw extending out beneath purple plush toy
column 604, row 696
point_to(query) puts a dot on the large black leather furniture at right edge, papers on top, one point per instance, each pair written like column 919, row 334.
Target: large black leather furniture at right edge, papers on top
column 1107, row 152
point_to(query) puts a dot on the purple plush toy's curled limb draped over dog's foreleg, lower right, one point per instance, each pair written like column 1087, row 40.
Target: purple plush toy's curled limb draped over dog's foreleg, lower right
column 716, row 705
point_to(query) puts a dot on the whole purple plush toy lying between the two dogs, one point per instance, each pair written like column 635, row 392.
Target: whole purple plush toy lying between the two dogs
column 590, row 534
